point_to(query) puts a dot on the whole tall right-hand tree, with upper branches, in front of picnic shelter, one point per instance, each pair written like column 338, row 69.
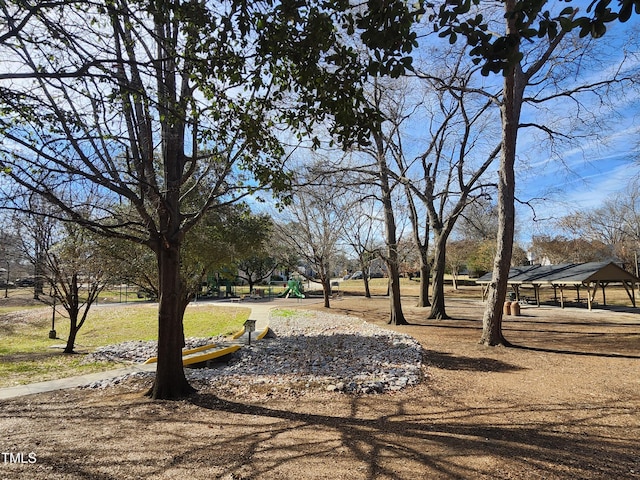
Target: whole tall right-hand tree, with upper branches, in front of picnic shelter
column 523, row 52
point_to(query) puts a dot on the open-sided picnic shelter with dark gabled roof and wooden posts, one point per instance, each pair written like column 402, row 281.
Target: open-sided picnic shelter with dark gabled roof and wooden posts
column 591, row 276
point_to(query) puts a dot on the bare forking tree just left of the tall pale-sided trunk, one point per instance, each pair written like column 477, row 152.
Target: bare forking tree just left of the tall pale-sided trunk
column 458, row 152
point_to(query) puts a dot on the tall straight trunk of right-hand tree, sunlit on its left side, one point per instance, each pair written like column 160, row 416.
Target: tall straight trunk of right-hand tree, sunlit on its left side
column 510, row 111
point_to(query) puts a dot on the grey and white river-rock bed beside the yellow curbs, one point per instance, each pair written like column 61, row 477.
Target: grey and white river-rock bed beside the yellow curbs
column 306, row 350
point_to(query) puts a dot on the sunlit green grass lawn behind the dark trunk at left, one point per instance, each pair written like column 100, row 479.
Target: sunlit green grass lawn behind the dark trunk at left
column 27, row 354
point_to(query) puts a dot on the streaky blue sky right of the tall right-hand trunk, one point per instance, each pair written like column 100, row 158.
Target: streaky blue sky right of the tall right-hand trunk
column 582, row 176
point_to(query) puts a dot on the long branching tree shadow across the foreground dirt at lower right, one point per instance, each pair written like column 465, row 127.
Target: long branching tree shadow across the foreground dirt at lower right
column 403, row 443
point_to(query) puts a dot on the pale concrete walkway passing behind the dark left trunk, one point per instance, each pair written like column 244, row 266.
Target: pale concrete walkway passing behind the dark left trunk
column 260, row 311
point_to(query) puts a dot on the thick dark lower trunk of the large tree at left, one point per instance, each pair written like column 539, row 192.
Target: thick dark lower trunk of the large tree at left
column 170, row 381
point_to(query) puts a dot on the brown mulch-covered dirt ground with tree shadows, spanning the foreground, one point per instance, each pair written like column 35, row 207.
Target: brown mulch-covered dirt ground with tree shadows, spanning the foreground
column 564, row 403
